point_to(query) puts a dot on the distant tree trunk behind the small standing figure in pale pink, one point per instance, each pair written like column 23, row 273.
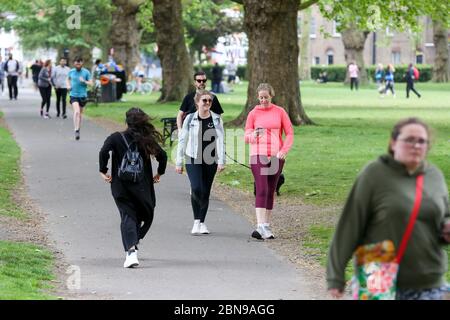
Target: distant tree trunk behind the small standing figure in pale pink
column 354, row 41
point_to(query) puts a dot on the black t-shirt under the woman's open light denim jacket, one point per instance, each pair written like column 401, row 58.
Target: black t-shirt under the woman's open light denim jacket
column 207, row 140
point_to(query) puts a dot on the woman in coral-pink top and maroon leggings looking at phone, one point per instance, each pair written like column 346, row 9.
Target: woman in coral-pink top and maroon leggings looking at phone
column 263, row 131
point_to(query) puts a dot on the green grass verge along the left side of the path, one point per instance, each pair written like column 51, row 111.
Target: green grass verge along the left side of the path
column 25, row 269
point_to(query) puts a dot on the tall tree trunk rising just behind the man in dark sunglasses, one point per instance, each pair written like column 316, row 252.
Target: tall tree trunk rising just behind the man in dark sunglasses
column 176, row 65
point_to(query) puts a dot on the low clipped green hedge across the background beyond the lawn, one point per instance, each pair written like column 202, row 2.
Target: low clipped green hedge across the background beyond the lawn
column 336, row 73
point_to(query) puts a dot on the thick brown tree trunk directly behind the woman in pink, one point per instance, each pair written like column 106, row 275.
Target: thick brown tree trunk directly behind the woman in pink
column 271, row 28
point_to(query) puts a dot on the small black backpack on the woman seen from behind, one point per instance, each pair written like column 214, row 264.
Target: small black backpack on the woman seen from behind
column 131, row 168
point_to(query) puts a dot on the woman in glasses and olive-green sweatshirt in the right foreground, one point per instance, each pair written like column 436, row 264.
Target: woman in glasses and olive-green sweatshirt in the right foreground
column 378, row 208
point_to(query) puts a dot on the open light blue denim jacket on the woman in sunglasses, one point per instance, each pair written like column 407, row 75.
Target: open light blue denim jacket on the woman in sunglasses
column 188, row 138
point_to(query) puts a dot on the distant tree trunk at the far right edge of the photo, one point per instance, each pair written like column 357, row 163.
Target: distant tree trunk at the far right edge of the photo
column 441, row 63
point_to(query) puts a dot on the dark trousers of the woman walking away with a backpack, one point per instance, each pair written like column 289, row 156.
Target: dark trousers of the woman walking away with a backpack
column 136, row 220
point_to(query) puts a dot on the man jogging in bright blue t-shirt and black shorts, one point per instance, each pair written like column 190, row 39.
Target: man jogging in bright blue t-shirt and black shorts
column 77, row 81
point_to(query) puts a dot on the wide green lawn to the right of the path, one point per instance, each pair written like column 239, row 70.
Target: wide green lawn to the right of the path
column 352, row 128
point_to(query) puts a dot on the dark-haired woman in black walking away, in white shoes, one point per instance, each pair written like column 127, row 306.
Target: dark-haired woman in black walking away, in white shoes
column 136, row 201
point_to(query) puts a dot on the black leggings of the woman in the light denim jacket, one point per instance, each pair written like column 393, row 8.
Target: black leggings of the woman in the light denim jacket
column 201, row 177
